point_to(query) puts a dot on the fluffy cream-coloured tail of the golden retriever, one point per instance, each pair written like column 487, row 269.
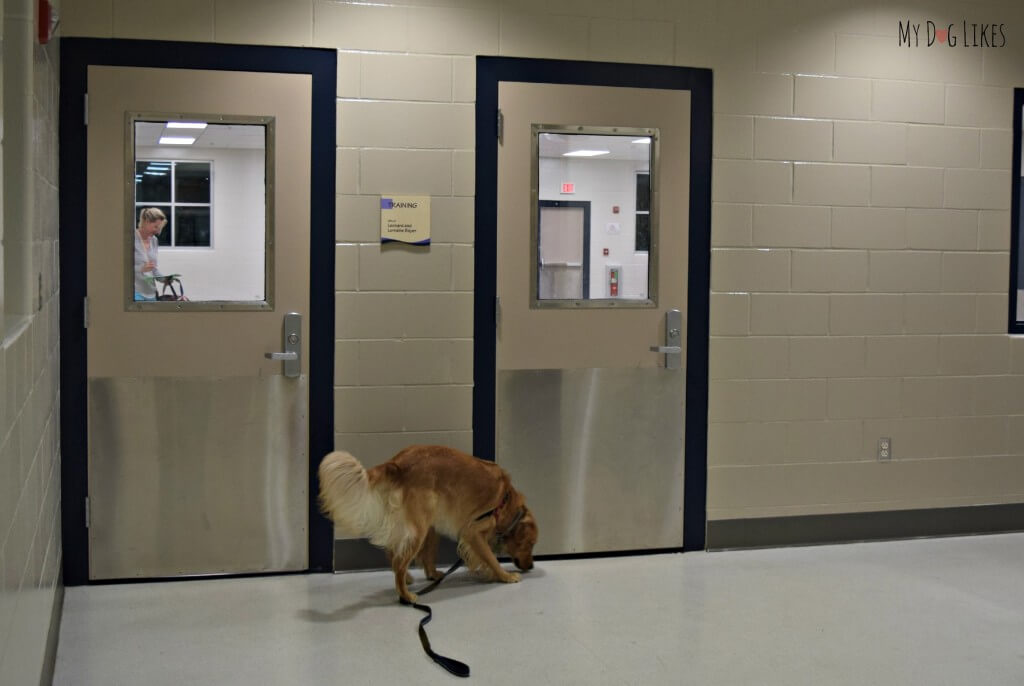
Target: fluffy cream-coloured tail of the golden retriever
column 348, row 497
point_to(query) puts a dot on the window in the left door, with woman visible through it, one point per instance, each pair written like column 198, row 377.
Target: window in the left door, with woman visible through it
column 200, row 230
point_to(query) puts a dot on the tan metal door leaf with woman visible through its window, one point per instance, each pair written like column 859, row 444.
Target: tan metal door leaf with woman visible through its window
column 198, row 445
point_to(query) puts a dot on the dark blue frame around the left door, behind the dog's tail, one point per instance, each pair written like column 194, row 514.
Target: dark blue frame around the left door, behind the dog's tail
column 76, row 56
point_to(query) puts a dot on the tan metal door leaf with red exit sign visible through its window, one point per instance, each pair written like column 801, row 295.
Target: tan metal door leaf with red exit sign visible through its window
column 590, row 421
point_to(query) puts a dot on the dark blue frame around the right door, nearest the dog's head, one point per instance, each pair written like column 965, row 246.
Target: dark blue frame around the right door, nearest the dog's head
column 491, row 71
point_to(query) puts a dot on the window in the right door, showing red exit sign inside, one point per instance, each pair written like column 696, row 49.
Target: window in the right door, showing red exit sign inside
column 594, row 230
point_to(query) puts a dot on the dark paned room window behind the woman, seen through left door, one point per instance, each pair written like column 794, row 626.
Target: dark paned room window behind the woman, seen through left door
column 182, row 191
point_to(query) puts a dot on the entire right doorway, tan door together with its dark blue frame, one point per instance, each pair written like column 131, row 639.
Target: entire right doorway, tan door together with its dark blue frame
column 554, row 400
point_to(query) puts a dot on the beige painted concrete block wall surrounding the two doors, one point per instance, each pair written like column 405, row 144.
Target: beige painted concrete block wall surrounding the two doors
column 861, row 227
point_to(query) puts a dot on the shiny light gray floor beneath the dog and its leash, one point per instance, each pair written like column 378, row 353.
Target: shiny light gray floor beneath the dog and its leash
column 926, row 612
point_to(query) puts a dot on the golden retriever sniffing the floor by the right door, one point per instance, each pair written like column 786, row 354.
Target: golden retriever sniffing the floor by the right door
column 404, row 504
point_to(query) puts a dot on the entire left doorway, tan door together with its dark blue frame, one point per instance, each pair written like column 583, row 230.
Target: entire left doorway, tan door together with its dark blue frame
column 190, row 466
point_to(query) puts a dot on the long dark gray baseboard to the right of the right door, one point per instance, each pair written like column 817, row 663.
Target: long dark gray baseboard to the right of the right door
column 856, row 527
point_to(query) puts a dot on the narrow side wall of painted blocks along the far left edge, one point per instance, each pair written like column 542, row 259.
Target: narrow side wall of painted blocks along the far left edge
column 30, row 445
